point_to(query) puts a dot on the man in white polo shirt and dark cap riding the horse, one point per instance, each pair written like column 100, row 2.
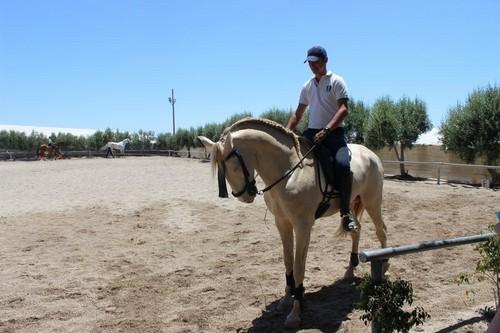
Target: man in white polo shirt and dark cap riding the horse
column 326, row 95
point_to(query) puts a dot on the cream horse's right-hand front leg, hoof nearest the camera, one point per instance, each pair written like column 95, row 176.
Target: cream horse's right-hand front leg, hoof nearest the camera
column 302, row 238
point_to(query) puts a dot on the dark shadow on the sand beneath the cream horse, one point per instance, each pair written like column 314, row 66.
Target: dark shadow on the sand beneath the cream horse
column 324, row 310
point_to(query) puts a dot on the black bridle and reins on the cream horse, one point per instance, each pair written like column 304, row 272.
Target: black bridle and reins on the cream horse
column 250, row 186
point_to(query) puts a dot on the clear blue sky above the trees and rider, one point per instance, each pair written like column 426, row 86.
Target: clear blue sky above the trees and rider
column 110, row 63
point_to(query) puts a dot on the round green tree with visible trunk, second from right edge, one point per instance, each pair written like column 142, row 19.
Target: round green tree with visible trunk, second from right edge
column 397, row 125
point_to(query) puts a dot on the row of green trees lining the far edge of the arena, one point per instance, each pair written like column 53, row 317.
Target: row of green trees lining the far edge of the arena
column 471, row 129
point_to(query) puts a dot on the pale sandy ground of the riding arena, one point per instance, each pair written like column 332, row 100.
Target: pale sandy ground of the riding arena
column 145, row 245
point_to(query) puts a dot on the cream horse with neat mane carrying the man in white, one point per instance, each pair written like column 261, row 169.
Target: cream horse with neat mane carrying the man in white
column 264, row 147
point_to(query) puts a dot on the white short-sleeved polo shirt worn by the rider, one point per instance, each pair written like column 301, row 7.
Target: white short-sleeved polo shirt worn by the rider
column 322, row 97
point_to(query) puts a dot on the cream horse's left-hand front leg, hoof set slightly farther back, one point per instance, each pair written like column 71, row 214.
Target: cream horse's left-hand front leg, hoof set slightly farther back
column 286, row 233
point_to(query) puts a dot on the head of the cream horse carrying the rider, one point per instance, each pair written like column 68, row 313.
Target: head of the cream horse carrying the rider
column 235, row 164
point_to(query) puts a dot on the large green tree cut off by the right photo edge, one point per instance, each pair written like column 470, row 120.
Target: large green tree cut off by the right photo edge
column 472, row 130
